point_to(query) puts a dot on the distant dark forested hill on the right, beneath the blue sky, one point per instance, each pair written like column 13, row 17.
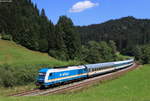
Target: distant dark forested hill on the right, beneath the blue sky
column 126, row 32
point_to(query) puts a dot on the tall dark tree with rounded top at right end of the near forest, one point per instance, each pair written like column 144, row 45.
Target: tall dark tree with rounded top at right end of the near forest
column 71, row 37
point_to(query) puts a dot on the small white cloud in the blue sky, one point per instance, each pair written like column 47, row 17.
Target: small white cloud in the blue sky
column 82, row 5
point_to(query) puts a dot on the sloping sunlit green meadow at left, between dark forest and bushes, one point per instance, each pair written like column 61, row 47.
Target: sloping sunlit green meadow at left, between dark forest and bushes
column 16, row 55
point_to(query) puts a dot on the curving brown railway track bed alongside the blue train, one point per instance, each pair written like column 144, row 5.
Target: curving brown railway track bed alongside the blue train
column 76, row 85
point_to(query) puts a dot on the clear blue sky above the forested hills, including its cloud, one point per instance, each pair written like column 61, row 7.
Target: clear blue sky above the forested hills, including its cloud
column 86, row 12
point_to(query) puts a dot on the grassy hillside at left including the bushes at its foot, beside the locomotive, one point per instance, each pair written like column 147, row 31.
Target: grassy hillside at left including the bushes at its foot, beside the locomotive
column 19, row 66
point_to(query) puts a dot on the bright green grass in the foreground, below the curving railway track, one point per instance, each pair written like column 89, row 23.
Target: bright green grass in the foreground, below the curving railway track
column 134, row 86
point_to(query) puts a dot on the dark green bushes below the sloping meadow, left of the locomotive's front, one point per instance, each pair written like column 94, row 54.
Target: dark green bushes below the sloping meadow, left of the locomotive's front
column 13, row 76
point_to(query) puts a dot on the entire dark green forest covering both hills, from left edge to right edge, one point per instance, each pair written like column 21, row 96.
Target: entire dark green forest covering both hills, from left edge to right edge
column 22, row 22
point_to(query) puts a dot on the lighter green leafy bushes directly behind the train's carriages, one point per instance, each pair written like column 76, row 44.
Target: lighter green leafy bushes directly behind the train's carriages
column 98, row 52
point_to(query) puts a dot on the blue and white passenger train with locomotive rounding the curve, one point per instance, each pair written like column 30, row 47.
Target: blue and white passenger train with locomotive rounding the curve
column 59, row 75
